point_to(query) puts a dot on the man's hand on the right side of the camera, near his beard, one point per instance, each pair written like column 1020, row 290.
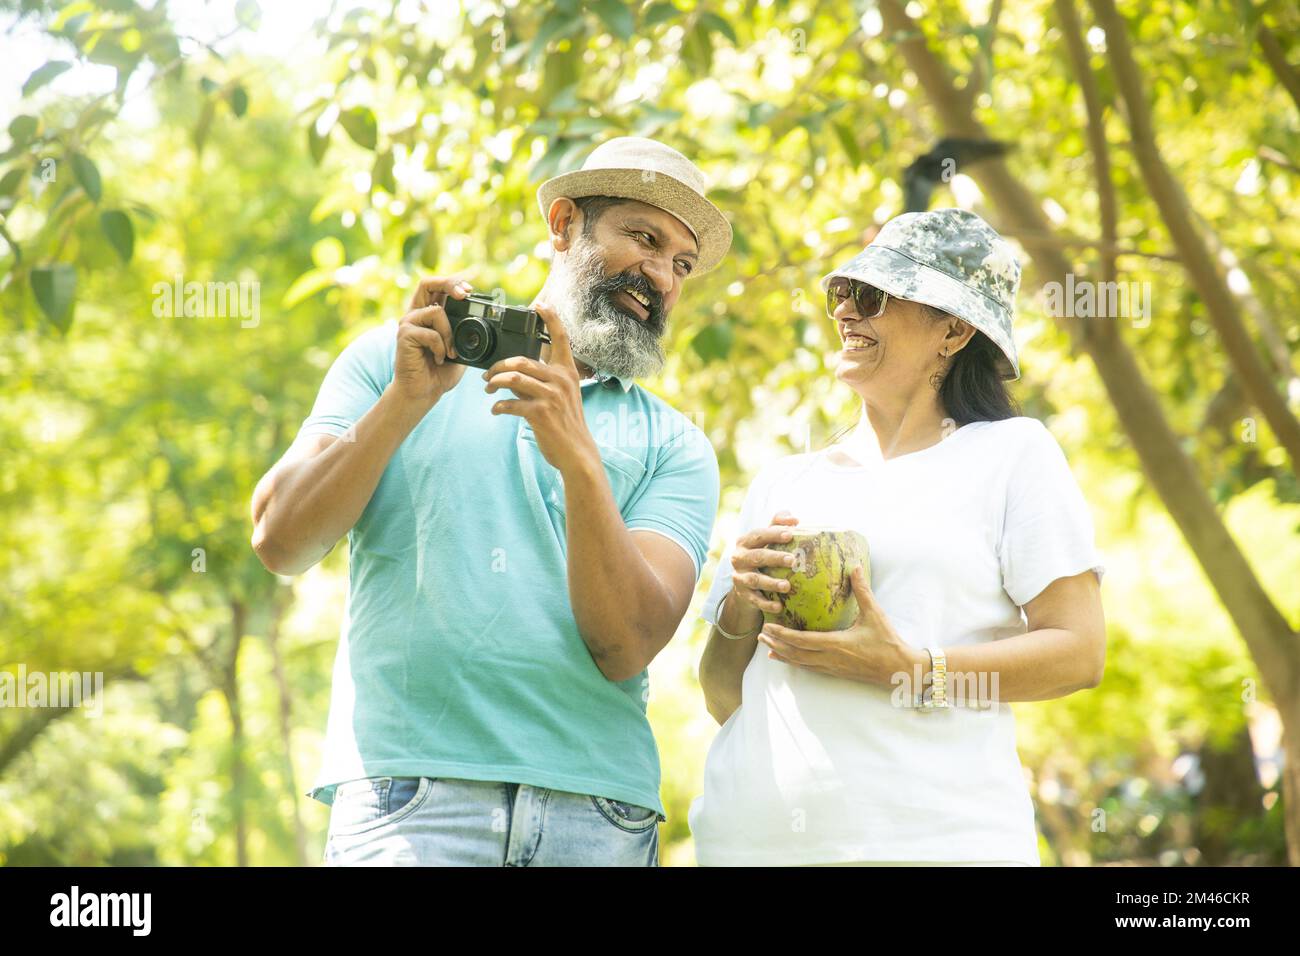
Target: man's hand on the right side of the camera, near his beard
column 551, row 399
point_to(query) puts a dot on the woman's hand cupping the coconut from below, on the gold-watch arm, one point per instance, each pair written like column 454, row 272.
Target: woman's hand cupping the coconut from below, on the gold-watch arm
column 870, row 651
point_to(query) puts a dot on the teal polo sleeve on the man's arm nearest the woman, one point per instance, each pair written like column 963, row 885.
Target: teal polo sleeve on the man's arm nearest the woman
column 681, row 501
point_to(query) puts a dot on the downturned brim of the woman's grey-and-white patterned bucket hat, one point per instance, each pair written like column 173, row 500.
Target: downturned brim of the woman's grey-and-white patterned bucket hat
column 907, row 279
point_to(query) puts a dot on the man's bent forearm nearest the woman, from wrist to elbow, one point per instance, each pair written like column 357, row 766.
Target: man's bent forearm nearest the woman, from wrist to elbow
column 619, row 603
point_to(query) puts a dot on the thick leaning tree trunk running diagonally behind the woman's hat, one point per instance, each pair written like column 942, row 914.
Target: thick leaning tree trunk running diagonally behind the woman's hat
column 1269, row 639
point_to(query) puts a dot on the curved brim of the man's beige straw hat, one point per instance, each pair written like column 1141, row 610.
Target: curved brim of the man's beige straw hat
column 705, row 220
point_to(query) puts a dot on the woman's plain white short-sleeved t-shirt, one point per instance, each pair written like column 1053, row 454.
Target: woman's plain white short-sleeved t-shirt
column 818, row 769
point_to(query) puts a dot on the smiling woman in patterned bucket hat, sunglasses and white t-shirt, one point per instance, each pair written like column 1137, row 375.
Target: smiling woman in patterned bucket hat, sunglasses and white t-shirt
column 837, row 749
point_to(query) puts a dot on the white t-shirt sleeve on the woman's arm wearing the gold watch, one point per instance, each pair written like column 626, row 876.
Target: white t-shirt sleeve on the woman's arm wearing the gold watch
column 1047, row 529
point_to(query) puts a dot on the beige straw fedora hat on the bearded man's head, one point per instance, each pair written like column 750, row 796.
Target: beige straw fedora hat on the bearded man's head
column 647, row 170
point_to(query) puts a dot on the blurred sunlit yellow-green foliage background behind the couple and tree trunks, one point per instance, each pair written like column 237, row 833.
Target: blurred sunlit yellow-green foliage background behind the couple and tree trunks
column 331, row 154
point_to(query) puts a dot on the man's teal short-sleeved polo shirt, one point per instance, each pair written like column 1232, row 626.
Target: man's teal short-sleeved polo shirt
column 460, row 655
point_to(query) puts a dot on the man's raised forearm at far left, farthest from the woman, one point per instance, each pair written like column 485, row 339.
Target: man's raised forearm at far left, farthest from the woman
column 314, row 503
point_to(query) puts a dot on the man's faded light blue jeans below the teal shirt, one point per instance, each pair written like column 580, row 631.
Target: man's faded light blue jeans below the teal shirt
column 436, row 821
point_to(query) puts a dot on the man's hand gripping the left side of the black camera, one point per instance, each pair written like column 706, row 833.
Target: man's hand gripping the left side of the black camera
column 422, row 374
